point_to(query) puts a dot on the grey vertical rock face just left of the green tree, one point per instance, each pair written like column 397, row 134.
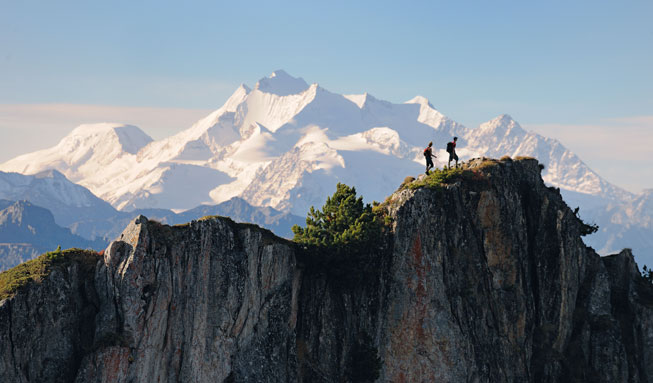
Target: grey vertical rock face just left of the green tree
column 205, row 302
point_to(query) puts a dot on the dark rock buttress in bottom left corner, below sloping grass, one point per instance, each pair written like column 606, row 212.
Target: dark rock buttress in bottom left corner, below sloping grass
column 47, row 327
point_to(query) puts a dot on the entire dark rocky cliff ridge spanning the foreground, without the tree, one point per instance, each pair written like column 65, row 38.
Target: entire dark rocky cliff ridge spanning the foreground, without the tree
column 480, row 278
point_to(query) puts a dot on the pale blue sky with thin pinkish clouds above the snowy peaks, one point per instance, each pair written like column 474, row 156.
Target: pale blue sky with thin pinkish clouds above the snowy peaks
column 577, row 71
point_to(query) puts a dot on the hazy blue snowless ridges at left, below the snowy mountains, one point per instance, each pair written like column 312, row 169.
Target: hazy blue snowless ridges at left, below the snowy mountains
column 27, row 230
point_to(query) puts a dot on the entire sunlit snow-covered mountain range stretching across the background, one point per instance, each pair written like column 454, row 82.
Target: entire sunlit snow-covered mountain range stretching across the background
column 284, row 144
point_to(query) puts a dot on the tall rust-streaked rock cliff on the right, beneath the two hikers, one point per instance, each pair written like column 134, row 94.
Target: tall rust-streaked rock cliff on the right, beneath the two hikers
column 487, row 280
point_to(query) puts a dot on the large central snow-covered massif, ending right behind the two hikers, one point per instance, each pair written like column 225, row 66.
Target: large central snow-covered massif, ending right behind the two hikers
column 281, row 144
